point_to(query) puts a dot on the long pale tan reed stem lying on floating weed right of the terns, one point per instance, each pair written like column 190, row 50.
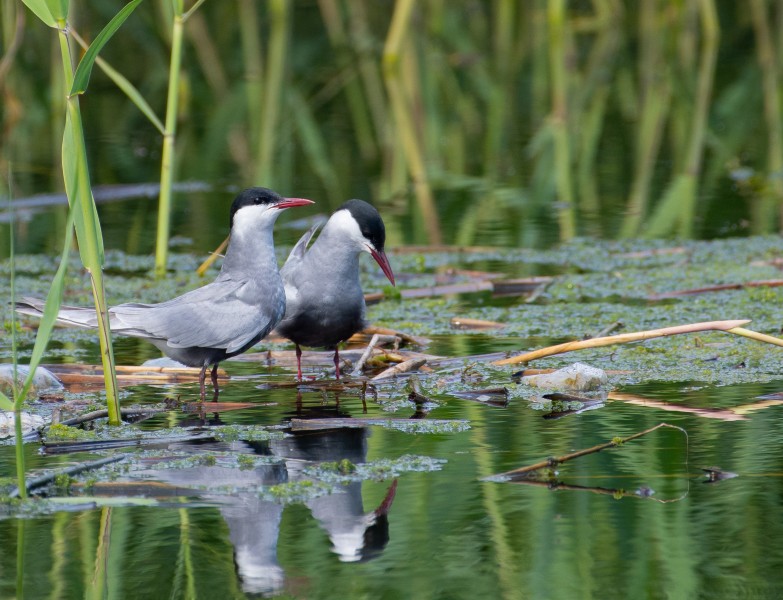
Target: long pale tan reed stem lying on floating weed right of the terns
column 624, row 338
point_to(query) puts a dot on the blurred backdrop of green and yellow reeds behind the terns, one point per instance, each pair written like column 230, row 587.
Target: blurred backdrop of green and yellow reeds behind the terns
column 495, row 122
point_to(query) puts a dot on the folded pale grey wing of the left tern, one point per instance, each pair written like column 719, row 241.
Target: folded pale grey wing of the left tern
column 213, row 316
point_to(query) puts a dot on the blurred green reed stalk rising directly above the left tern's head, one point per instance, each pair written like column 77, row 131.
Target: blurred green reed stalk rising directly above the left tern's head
column 266, row 163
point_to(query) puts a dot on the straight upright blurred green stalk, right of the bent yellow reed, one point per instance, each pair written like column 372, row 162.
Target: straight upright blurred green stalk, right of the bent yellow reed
column 559, row 118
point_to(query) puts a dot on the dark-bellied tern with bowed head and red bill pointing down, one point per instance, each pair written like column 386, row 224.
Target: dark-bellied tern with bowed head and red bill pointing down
column 324, row 299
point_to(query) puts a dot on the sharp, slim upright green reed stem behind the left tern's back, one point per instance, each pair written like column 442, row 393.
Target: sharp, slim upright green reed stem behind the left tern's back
column 169, row 139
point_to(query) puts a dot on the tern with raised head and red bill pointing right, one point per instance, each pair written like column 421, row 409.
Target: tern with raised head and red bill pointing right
column 221, row 319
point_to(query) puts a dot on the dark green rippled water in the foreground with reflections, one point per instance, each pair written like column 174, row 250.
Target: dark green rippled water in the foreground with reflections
column 449, row 534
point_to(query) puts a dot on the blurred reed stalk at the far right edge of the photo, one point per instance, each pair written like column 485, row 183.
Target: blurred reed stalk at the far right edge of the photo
column 765, row 51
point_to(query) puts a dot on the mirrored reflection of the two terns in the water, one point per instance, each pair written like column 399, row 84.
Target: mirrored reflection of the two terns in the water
column 254, row 522
